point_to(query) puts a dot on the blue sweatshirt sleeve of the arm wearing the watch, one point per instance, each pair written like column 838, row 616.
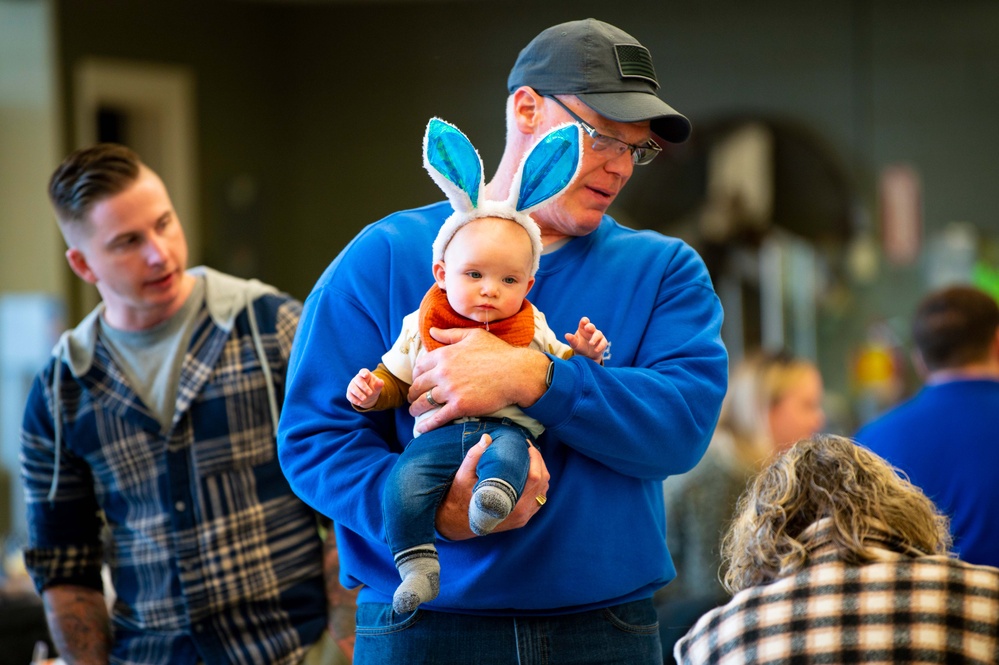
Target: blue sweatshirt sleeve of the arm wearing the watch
column 651, row 411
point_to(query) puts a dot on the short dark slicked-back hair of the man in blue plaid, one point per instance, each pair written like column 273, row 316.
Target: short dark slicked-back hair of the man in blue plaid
column 90, row 175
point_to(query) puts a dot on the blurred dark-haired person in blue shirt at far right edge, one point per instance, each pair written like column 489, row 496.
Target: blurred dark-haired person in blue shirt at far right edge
column 944, row 437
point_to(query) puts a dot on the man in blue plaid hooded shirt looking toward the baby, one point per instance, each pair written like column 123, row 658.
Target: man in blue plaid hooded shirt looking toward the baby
column 148, row 443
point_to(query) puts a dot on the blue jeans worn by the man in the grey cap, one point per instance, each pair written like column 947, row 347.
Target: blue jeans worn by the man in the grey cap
column 626, row 634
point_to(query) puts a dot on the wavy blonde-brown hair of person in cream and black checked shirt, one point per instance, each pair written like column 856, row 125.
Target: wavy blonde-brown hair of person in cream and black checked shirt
column 826, row 490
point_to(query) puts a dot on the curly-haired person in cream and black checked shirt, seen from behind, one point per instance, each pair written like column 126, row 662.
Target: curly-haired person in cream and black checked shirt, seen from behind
column 833, row 558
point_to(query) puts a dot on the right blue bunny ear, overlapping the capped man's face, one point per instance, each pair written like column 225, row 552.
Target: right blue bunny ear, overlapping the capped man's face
column 549, row 167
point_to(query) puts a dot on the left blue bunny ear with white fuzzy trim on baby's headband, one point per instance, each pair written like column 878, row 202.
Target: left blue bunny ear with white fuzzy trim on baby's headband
column 453, row 163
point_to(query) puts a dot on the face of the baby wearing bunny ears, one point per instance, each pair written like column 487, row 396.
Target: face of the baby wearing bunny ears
column 486, row 271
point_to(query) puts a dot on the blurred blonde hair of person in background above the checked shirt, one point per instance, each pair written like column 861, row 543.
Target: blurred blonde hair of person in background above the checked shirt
column 757, row 384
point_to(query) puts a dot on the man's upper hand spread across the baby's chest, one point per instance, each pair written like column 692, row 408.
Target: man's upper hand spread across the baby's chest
column 473, row 375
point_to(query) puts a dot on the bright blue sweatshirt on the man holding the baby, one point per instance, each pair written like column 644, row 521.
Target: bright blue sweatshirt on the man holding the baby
column 612, row 434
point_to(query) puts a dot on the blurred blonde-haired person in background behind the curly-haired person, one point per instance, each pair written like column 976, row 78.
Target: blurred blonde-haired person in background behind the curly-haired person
column 773, row 400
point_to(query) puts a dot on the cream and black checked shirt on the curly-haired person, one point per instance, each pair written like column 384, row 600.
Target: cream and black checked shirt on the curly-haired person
column 899, row 610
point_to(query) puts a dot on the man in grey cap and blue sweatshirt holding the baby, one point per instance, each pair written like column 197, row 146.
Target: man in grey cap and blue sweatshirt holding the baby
column 569, row 576
